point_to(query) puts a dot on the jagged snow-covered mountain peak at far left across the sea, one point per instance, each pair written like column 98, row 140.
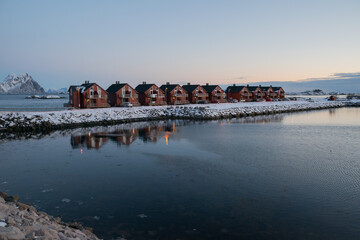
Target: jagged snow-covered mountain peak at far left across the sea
column 22, row 84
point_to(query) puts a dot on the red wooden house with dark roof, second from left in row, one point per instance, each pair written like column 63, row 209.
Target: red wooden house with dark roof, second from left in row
column 120, row 93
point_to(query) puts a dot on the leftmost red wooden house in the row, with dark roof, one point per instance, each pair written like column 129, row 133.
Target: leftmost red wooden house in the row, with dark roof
column 87, row 95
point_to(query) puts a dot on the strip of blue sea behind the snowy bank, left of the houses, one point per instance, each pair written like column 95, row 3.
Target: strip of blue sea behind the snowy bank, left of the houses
column 19, row 103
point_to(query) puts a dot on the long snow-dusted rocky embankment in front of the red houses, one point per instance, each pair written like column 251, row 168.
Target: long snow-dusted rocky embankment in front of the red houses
column 32, row 121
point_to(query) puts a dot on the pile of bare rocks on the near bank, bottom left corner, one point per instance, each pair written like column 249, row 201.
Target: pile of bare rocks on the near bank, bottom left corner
column 21, row 221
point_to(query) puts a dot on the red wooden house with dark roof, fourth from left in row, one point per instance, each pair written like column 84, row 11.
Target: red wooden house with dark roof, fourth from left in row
column 174, row 94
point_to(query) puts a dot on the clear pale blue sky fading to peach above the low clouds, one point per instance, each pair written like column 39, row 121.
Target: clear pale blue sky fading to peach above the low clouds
column 218, row 42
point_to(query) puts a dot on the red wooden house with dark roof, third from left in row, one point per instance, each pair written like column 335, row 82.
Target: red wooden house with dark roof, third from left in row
column 150, row 95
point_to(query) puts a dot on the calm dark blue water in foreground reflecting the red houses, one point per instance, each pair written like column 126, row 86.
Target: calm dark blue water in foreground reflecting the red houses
column 294, row 176
